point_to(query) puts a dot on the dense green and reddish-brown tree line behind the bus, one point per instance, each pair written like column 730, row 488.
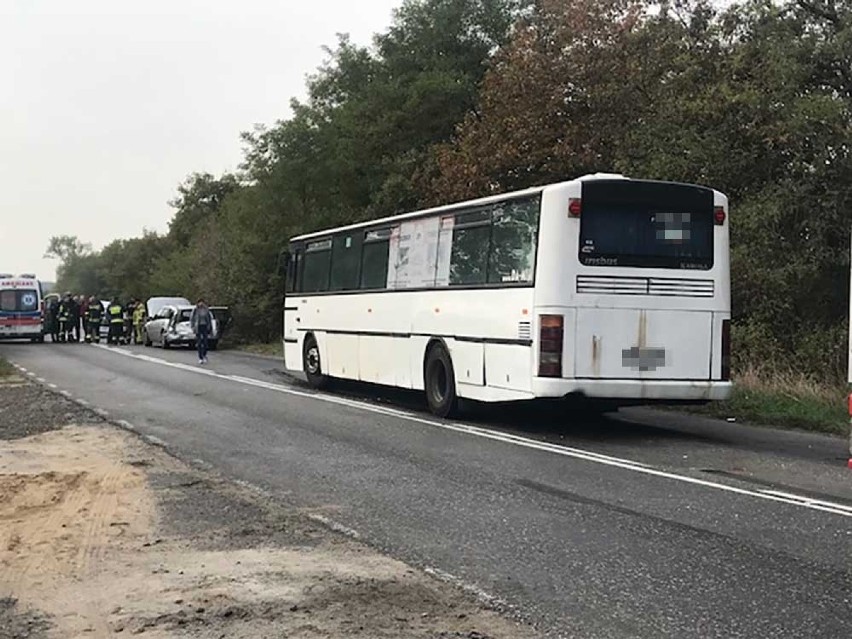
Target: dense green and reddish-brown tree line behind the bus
column 464, row 98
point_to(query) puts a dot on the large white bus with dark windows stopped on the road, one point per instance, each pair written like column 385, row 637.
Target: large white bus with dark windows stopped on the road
column 598, row 287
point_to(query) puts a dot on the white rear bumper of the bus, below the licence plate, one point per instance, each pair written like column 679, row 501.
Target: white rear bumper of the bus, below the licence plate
column 634, row 389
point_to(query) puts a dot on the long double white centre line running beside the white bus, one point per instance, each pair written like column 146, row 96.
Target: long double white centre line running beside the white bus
column 576, row 453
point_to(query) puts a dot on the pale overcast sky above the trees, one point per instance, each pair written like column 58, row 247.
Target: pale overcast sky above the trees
column 107, row 105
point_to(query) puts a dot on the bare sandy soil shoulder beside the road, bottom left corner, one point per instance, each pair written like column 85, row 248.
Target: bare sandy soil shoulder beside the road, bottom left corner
column 103, row 536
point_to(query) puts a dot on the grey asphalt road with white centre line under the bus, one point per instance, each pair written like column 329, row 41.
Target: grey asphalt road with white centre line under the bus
column 646, row 524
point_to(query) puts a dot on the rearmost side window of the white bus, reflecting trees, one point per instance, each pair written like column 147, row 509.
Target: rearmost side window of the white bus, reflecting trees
column 513, row 241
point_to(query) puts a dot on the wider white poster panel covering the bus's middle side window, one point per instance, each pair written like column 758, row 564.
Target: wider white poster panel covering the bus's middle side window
column 413, row 254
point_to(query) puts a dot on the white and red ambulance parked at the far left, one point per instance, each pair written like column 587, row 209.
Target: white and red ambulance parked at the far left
column 21, row 315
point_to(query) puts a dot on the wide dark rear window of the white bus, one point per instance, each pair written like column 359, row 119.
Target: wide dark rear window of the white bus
column 646, row 225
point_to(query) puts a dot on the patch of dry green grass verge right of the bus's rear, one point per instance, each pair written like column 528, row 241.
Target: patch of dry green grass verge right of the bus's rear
column 787, row 400
